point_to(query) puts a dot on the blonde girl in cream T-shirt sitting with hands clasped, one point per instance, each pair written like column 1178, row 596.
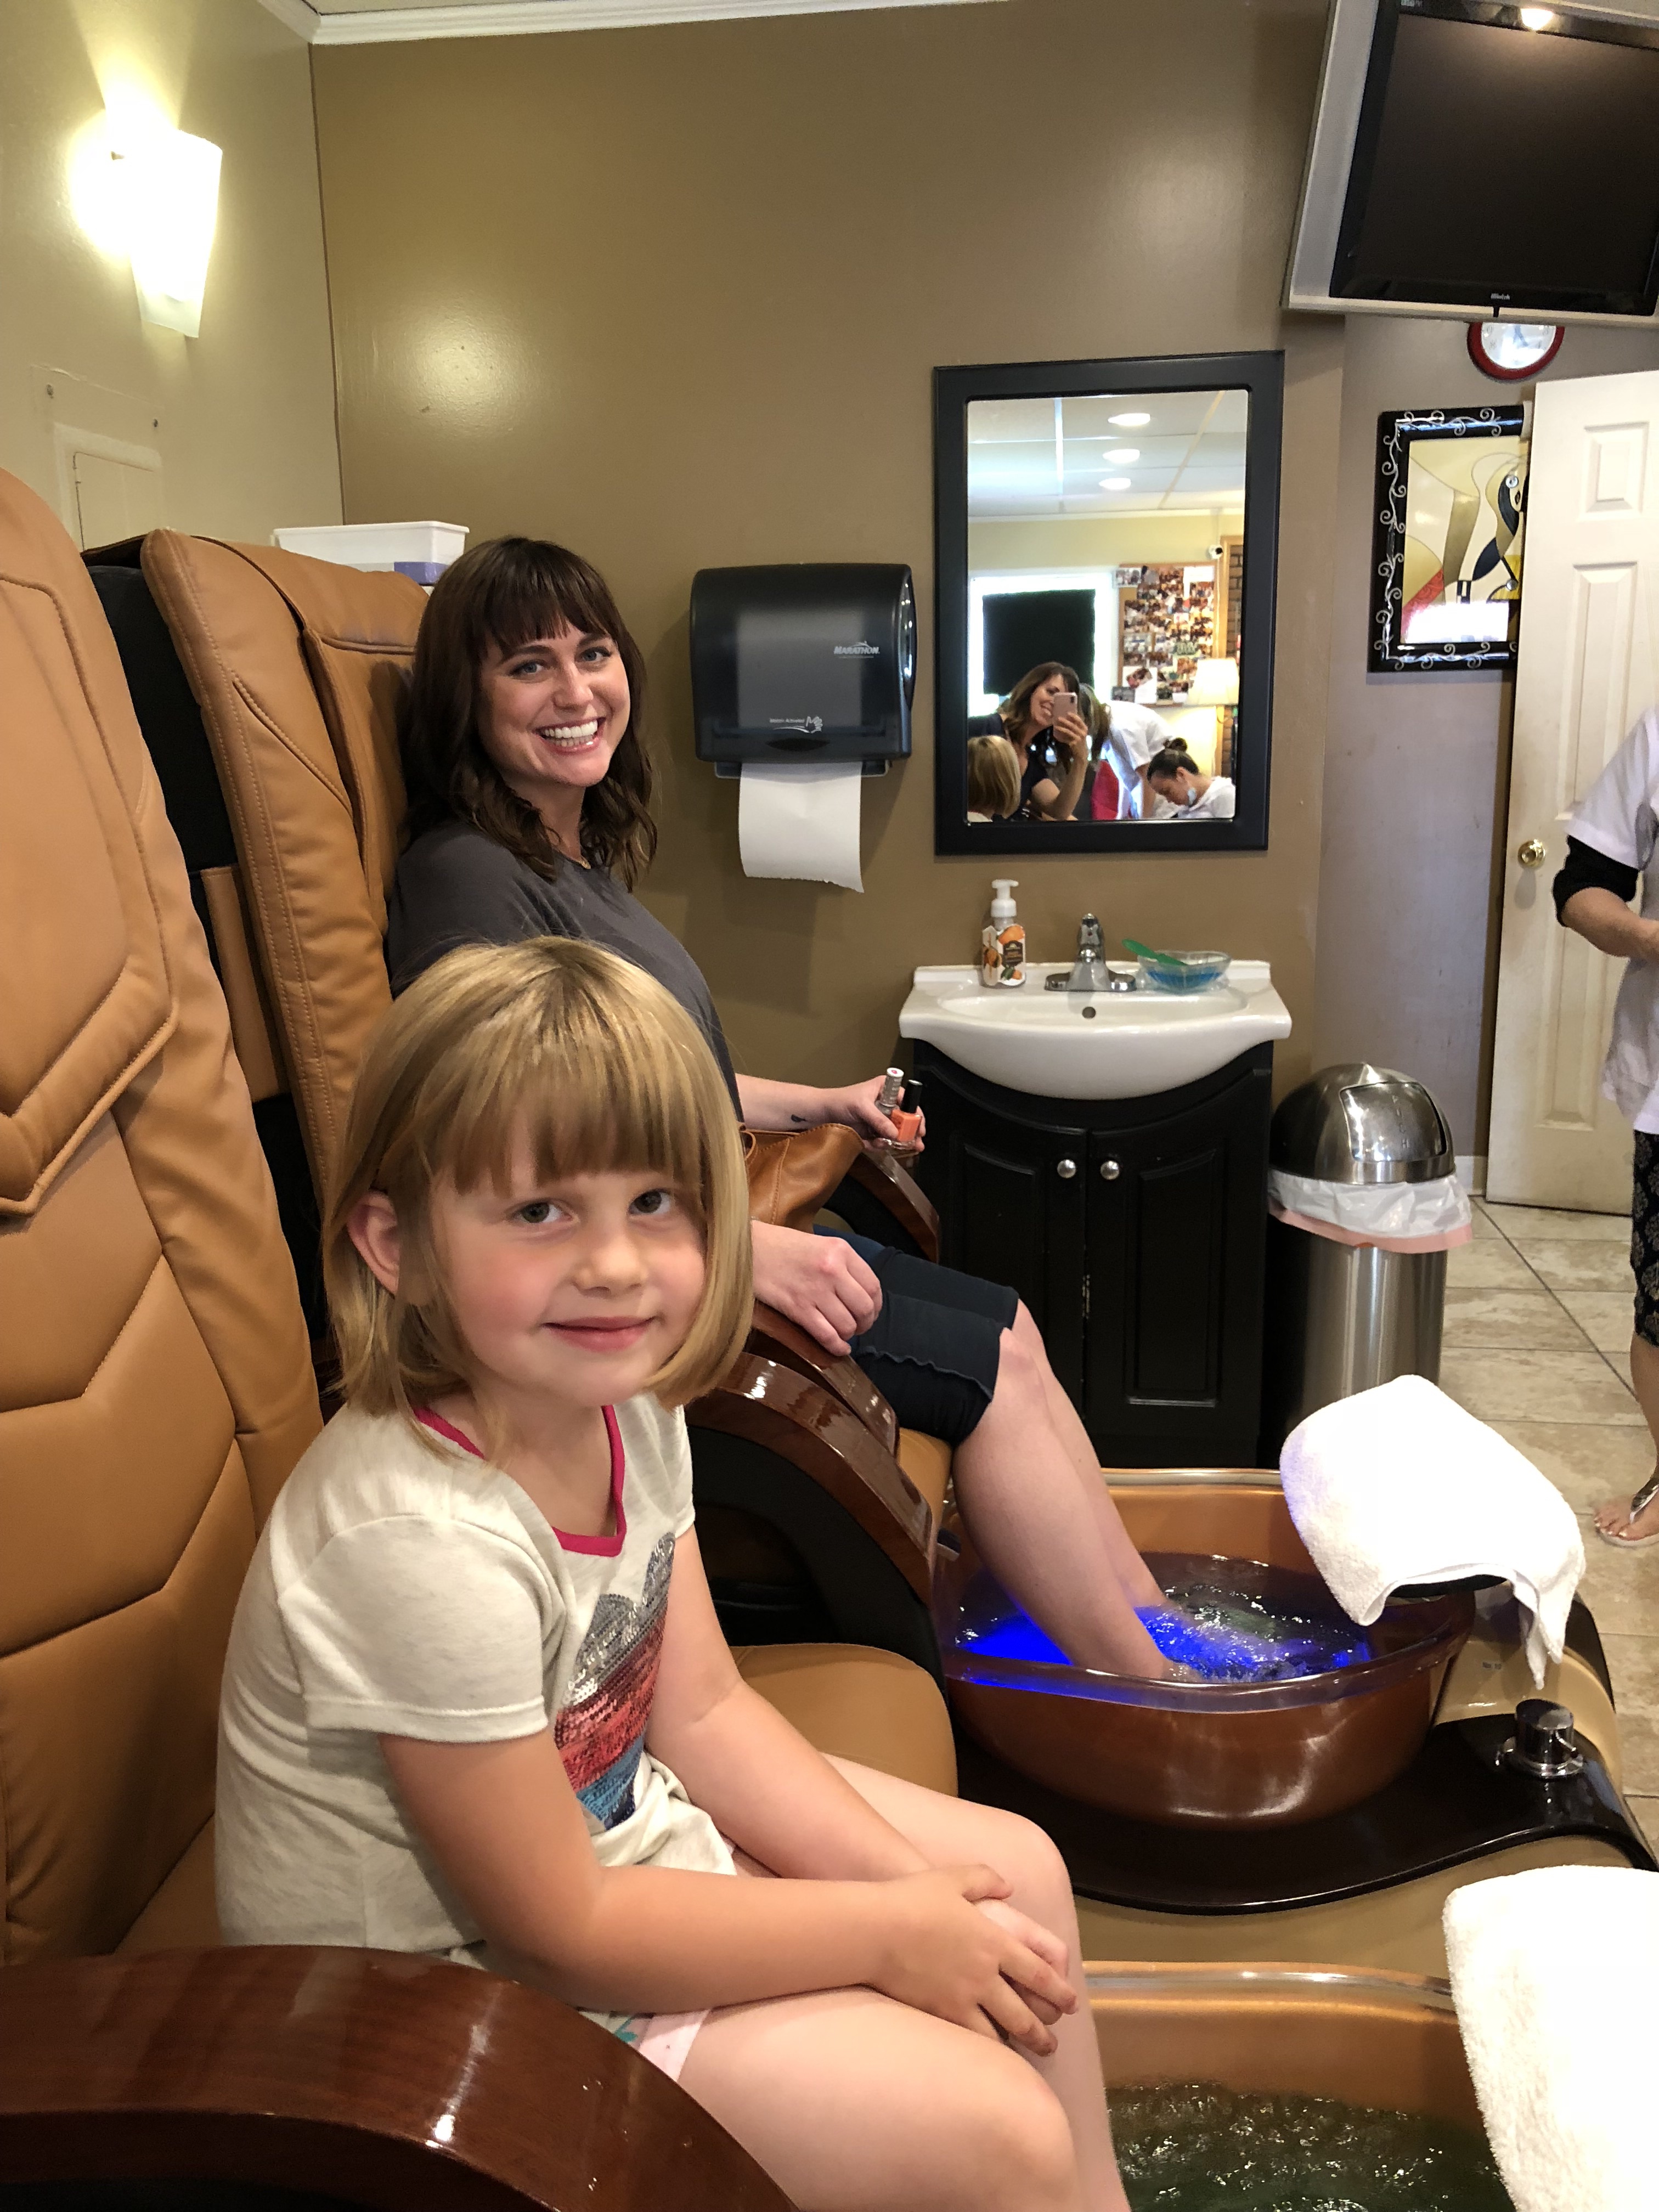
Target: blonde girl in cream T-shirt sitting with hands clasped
column 479, row 1704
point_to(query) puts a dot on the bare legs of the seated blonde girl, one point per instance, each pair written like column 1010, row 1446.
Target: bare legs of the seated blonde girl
column 859, row 2105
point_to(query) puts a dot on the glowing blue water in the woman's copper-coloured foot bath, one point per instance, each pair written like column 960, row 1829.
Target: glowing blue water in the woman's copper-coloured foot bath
column 1211, row 1629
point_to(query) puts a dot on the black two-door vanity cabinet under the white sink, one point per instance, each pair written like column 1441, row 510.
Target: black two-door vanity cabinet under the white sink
column 1134, row 1231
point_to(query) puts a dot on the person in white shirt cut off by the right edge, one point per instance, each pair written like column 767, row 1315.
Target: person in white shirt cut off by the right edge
column 1609, row 846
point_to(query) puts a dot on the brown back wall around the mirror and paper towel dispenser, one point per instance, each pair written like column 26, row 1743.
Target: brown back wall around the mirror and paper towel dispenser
column 676, row 295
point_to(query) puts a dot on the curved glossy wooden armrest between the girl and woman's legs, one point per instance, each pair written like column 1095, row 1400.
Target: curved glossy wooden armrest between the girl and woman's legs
column 811, row 1428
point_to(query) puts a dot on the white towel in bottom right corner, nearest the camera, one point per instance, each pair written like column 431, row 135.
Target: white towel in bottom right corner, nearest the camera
column 1554, row 1976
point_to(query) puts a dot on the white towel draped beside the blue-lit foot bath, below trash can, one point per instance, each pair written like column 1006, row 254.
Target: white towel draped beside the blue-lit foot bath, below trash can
column 1401, row 1485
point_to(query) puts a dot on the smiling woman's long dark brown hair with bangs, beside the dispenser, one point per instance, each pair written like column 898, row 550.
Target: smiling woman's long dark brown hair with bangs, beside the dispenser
column 497, row 598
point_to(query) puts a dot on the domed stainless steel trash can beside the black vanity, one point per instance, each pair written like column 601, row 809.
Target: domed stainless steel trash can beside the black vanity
column 1346, row 1317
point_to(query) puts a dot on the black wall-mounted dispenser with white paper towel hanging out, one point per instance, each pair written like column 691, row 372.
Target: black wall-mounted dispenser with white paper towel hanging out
column 802, row 685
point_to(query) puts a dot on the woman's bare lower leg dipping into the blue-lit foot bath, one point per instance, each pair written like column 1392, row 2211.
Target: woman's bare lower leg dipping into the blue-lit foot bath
column 1043, row 1532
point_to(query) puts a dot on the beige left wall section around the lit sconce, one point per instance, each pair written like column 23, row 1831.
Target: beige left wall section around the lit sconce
column 244, row 415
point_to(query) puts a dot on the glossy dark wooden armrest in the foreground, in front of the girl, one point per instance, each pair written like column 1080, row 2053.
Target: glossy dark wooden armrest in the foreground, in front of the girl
column 364, row 2076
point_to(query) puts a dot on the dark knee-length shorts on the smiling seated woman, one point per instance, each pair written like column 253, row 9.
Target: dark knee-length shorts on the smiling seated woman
column 937, row 1346
